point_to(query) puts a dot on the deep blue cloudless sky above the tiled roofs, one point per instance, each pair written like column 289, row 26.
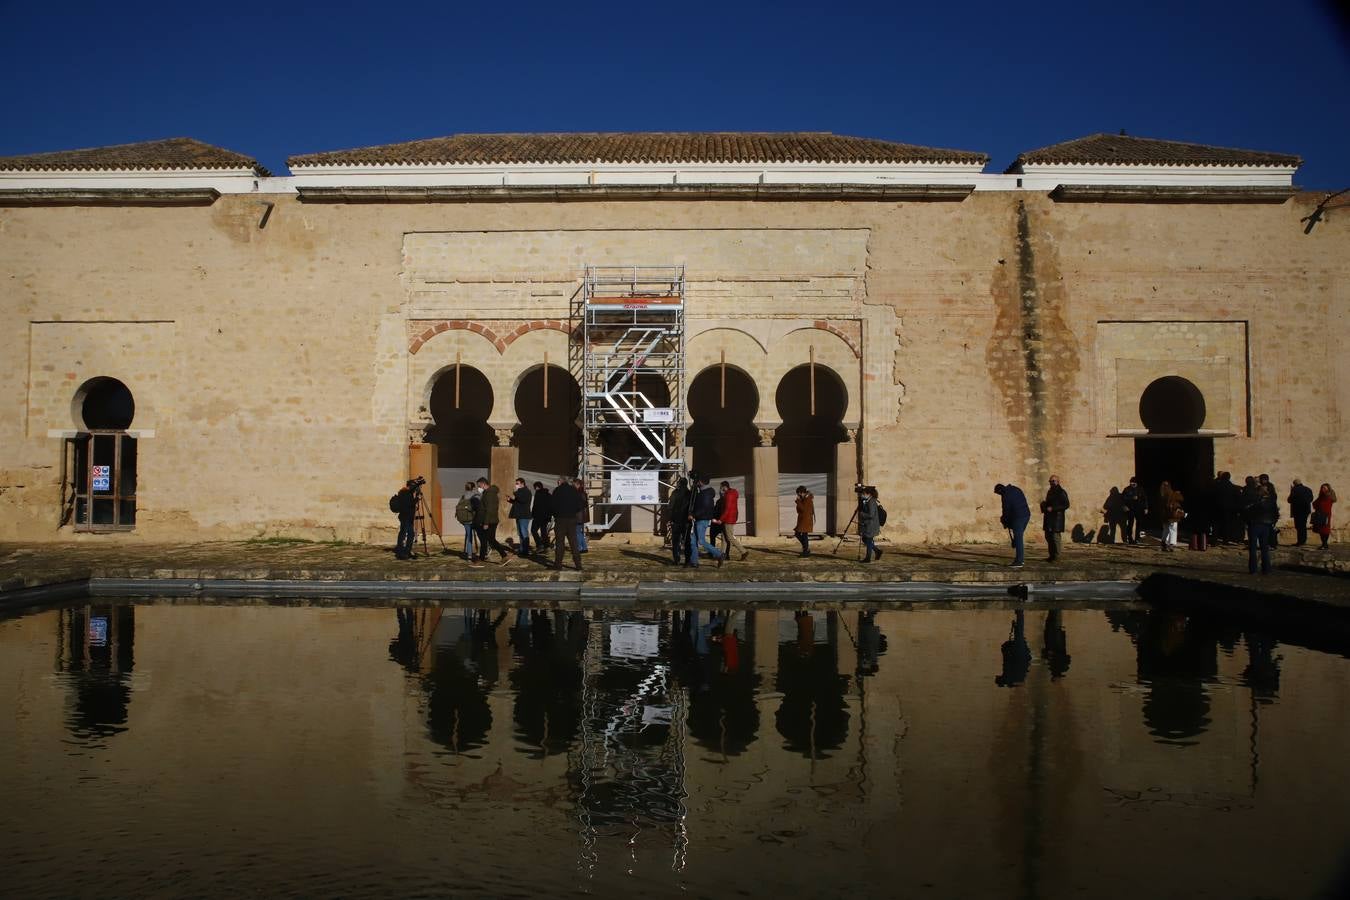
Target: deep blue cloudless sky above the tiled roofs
column 276, row 80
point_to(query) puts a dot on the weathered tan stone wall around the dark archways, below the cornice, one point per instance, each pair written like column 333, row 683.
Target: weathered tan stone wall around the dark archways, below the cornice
column 279, row 370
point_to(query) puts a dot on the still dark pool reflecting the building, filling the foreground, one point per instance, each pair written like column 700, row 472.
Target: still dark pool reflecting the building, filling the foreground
column 168, row 750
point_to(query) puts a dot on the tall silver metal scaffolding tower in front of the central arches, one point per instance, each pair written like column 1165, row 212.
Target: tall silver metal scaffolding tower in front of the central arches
column 628, row 357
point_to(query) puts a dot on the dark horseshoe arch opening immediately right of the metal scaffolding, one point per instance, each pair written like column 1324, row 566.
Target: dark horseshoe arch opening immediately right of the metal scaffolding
column 723, row 403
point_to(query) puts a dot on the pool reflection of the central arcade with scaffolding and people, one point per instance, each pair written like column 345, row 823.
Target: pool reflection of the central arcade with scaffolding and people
column 624, row 700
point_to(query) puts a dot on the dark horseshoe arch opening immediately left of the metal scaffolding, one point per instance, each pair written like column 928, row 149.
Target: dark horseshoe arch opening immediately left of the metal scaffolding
column 549, row 437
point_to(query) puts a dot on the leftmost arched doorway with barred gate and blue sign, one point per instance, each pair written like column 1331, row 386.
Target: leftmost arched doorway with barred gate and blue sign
column 101, row 461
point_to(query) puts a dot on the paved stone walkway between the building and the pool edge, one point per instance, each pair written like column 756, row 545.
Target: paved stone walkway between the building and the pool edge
column 1309, row 574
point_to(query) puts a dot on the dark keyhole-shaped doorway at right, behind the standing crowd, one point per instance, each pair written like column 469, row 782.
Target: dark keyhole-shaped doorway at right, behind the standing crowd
column 1174, row 411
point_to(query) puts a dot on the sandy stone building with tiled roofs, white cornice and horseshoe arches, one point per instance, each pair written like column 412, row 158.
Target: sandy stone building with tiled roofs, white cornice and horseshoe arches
column 250, row 356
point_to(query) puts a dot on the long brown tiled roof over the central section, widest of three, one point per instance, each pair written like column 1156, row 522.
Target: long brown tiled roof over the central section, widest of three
column 639, row 148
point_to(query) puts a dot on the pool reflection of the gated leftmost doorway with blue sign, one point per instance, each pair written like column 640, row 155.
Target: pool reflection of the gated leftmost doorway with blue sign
column 98, row 658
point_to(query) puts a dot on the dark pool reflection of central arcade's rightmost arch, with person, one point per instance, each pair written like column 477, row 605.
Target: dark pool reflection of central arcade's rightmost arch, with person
column 813, row 717
